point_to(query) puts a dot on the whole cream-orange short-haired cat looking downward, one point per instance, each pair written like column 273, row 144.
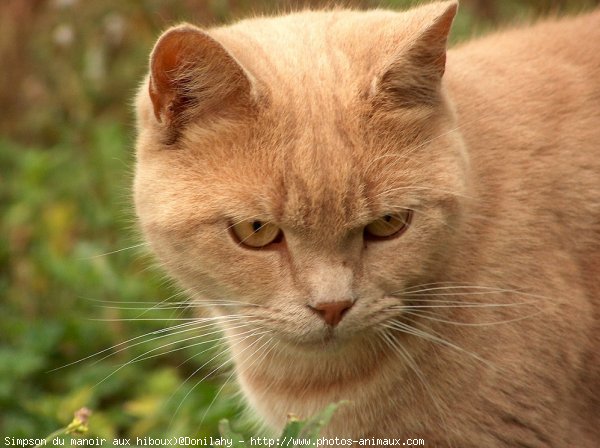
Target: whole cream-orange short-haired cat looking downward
column 372, row 217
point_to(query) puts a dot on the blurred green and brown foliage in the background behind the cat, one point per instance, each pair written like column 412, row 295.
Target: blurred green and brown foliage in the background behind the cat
column 74, row 278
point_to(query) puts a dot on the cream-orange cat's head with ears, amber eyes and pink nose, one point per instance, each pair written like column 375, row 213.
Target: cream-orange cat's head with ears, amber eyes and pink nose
column 302, row 171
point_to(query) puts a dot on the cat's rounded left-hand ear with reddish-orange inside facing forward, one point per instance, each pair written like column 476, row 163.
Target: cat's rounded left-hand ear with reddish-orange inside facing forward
column 193, row 74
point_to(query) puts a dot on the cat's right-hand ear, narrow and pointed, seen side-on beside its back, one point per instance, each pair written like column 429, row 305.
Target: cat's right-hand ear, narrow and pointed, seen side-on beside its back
column 413, row 78
